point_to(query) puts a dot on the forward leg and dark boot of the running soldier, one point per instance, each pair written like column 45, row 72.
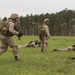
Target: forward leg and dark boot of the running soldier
column 14, row 47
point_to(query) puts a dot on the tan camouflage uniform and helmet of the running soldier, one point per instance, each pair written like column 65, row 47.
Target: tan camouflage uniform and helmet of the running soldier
column 7, row 40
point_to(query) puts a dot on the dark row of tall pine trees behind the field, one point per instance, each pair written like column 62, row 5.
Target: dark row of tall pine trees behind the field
column 60, row 23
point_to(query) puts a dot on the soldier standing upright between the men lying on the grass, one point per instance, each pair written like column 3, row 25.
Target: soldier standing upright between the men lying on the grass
column 44, row 38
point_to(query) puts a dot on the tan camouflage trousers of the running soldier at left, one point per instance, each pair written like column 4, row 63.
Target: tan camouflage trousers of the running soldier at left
column 5, row 42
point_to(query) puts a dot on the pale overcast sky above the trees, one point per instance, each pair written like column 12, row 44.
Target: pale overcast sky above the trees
column 24, row 7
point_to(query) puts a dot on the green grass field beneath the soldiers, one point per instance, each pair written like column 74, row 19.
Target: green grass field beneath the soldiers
column 33, row 62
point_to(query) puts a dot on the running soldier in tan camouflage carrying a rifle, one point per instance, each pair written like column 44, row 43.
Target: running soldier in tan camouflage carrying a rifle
column 6, row 39
